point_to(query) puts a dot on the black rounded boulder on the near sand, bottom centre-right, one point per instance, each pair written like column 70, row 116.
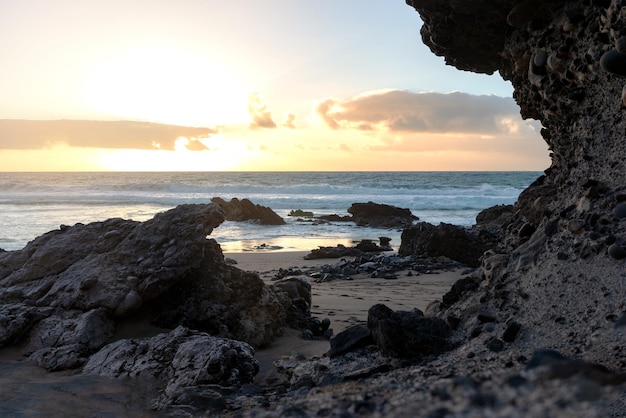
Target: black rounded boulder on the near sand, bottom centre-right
column 407, row 334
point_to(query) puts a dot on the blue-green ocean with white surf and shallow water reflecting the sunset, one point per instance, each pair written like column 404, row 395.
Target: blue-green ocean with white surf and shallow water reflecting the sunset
column 34, row 203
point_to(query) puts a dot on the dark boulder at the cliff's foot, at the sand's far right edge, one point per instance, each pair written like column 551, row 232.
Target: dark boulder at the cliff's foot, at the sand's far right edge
column 455, row 242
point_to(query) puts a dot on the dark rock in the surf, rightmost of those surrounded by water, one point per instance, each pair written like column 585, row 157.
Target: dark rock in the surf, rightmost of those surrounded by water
column 378, row 215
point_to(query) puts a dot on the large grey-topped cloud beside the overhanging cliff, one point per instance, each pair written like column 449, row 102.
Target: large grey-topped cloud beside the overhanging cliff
column 403, row 111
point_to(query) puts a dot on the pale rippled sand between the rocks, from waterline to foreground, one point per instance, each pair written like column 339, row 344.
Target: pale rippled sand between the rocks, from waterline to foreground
column 344, row 302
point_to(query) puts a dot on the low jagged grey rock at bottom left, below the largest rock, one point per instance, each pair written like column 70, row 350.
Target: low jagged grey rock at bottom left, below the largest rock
column 177, row 359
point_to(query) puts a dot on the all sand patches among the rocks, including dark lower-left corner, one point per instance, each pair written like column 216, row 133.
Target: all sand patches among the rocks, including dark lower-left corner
column 32, row 390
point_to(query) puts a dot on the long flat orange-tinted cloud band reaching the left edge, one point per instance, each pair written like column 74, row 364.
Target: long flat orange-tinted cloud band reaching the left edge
column 36, row 134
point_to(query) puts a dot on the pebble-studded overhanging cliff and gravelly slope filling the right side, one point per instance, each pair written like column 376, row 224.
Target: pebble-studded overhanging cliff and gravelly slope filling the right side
column 556, row 279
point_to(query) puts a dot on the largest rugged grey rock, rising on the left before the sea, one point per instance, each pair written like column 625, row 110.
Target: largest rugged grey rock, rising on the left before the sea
column 62, row 295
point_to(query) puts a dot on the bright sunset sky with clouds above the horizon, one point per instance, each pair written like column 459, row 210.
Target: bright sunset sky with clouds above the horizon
column 281, row 85
